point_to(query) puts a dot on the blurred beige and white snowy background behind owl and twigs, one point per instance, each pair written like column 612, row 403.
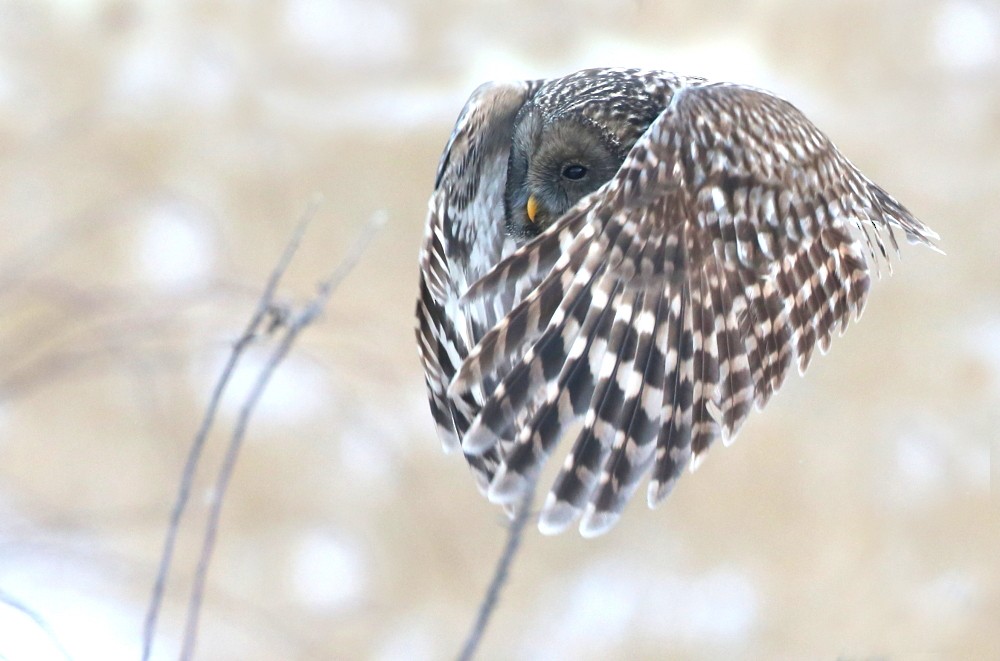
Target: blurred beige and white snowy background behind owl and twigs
column 154, row 157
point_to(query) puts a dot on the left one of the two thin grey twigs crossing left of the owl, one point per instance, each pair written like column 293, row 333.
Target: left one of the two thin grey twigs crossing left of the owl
column 265, row 305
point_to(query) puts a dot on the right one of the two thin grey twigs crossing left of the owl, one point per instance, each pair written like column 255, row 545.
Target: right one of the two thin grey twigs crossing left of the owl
column 298, row 323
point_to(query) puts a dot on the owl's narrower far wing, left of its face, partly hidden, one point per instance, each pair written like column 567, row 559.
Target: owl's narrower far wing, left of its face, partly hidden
column 463, row 239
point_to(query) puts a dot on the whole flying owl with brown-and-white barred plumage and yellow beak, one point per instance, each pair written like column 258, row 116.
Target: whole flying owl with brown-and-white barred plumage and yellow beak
column 637, row 258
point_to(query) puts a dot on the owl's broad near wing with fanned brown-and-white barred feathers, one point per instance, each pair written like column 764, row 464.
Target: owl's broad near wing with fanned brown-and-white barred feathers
column 733, row 240
